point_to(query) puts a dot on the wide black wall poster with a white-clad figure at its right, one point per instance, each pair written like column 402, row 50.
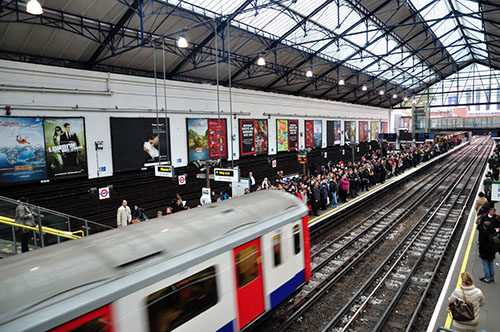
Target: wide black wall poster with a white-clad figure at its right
column 138, row 142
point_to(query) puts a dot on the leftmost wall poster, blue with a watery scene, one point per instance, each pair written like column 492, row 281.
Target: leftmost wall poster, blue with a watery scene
column 22, row 152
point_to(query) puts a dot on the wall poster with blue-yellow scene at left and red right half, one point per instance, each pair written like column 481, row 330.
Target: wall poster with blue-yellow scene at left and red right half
column 204, row 141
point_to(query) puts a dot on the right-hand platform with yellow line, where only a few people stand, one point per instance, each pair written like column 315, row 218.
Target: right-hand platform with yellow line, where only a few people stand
column 467, row 259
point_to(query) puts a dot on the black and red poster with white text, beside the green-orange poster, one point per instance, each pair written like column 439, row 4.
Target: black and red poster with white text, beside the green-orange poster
column 253, row 137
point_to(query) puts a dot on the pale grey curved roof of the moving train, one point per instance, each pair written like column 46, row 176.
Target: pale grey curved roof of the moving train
column 163, row 246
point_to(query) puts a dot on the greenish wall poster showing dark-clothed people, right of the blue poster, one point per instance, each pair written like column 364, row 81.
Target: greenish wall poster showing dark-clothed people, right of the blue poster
column 65, row 146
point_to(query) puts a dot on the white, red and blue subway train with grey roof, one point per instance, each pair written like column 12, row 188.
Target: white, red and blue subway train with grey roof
column 214, row 268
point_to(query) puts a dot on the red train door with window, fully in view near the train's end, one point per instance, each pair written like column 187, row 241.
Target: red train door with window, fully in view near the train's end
column 249, row 282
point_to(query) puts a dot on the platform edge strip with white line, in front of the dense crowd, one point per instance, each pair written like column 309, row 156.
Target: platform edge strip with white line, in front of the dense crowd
column 363, row 195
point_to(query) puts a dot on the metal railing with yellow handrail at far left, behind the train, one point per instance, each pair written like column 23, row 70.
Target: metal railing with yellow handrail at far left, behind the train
column 52, row 227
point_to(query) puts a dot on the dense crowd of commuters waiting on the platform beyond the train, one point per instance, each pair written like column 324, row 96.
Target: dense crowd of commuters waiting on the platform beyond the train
column 332, row 184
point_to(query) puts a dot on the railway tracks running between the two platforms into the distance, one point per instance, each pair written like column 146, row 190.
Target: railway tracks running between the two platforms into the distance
column 360, row 264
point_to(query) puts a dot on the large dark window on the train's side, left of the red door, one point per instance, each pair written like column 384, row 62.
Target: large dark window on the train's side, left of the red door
column 176, row 304
